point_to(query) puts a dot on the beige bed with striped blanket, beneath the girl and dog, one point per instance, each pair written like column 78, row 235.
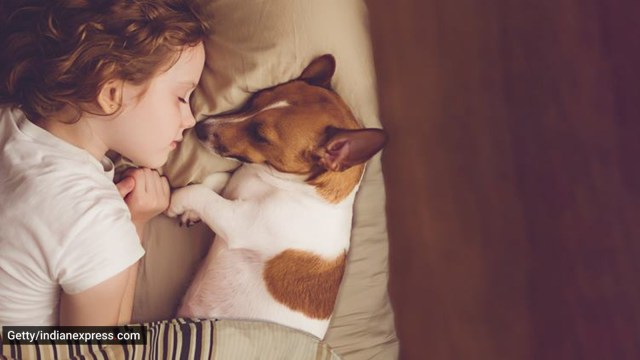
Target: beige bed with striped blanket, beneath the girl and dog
column 257, row 44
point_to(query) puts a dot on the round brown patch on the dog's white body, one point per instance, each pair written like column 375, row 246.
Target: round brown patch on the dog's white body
column 305, row 282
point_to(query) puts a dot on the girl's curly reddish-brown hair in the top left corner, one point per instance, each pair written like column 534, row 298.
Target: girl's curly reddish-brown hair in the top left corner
column 57, row 54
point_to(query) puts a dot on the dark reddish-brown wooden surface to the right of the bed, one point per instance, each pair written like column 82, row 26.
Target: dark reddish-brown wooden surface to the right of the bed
column 513, row 176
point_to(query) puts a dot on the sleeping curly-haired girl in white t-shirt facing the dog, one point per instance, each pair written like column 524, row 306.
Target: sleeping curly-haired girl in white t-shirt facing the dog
column 79, row 78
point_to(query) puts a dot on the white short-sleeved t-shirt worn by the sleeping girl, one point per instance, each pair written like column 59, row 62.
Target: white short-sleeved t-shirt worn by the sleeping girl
column 63, row 225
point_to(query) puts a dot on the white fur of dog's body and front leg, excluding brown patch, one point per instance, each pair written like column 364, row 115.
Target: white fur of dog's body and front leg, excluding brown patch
column 263, row 212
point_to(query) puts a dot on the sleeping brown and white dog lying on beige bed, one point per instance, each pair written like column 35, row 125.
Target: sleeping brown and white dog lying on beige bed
column 283, row 222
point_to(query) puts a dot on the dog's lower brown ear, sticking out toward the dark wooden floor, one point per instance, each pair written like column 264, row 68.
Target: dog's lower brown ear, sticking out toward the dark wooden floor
column 346, row 148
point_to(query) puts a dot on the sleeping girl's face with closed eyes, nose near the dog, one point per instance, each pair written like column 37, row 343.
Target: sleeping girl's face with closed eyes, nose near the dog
column 150, row 126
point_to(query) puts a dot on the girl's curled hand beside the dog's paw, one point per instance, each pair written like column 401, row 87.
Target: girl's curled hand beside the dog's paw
column 145, row 192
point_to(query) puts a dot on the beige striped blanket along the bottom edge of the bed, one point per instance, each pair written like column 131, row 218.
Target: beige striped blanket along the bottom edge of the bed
column 193, row 339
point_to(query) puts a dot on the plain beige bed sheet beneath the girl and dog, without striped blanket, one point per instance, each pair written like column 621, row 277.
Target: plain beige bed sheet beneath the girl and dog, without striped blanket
column 257, row 44
